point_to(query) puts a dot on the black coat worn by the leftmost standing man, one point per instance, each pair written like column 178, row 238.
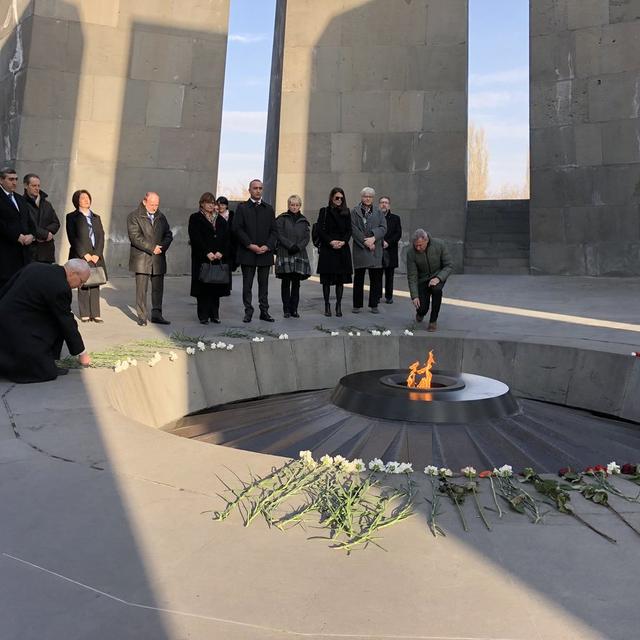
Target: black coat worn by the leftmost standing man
column 13, row 222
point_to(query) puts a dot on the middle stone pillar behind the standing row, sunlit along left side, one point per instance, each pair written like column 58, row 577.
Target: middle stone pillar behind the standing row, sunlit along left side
column 373, row 93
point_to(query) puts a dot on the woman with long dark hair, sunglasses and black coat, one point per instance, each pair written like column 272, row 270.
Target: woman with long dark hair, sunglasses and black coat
column 334, row 259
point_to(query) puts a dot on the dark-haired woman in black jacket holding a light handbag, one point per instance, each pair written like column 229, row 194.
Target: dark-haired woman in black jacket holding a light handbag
column 86, row 241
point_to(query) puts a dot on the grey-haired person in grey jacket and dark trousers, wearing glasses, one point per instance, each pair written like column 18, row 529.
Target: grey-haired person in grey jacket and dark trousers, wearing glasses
column 368, row 228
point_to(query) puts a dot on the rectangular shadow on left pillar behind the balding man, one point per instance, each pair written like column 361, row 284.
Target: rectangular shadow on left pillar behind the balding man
column 169, row 132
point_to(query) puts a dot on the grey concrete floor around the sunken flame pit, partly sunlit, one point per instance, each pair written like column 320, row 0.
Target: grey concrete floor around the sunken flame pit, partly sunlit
column 104, row 532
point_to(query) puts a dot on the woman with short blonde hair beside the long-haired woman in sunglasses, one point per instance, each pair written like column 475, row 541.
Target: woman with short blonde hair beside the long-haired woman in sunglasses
column 292, row 261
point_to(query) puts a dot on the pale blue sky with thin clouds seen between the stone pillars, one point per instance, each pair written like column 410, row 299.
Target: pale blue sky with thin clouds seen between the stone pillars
column 498, row 88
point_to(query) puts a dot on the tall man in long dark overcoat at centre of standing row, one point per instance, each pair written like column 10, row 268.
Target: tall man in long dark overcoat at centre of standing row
column 254, row 226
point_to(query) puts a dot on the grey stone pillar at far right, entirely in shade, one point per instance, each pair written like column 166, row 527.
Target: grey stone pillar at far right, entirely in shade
column 585, row 137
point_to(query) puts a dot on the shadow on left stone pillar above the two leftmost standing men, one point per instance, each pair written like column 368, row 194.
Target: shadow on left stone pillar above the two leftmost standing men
column 40, row 66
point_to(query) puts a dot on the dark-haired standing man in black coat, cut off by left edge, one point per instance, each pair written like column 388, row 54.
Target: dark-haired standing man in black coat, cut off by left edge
column 17, row 228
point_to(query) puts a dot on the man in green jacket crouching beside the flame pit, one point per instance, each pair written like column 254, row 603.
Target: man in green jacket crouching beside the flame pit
column 428, row 267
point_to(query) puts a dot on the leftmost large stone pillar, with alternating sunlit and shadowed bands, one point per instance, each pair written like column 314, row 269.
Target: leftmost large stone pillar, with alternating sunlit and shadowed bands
column 118, row 98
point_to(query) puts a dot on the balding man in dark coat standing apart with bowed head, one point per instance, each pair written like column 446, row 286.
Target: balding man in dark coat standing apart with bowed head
column 150, row 237
